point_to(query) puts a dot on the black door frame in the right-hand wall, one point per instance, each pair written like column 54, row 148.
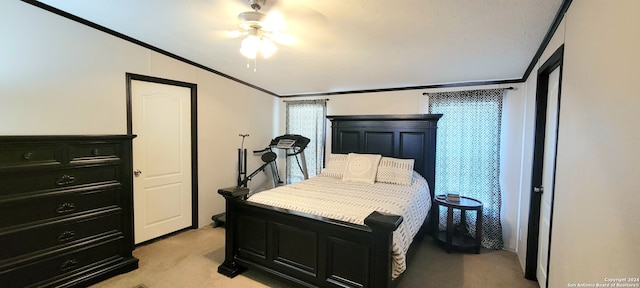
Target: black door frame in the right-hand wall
column 531, row 262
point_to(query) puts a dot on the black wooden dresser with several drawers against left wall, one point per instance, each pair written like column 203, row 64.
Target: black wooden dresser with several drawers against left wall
column 65, row 210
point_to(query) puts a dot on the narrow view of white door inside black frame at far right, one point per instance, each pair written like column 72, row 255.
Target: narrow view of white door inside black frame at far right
column 548, row 174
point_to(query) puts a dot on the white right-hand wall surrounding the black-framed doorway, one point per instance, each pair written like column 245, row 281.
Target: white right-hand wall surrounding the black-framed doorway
column 595, row 231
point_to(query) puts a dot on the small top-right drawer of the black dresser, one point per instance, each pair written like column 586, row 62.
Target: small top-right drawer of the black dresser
column 94, row 151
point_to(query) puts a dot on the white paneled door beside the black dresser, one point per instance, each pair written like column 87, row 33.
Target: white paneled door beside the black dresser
column 161, row 158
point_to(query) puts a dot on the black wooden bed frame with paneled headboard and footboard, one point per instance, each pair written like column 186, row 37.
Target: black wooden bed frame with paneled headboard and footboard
column 313, row 251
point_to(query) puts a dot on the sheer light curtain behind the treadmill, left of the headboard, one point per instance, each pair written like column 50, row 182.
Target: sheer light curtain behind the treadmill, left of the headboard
column 306, row 118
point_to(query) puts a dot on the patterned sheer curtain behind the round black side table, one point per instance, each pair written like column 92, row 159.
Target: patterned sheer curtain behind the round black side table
column 468, row 154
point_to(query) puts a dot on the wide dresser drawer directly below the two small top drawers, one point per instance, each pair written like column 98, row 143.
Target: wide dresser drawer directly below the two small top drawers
column 41, row 181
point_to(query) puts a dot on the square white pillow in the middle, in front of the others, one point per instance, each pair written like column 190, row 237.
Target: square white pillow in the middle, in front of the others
column 361, row 168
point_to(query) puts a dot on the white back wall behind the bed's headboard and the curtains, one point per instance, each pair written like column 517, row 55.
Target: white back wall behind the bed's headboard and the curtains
column 413, row 102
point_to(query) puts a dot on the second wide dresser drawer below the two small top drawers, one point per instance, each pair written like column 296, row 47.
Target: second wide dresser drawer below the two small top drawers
column 54, row 205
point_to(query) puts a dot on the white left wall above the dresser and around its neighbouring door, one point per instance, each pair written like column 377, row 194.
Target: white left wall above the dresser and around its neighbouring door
column 61, row 77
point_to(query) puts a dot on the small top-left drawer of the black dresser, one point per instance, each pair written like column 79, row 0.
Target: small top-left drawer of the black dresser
column 30, row 155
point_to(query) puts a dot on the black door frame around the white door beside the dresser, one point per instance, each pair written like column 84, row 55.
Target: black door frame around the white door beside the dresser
column 194, row 131
